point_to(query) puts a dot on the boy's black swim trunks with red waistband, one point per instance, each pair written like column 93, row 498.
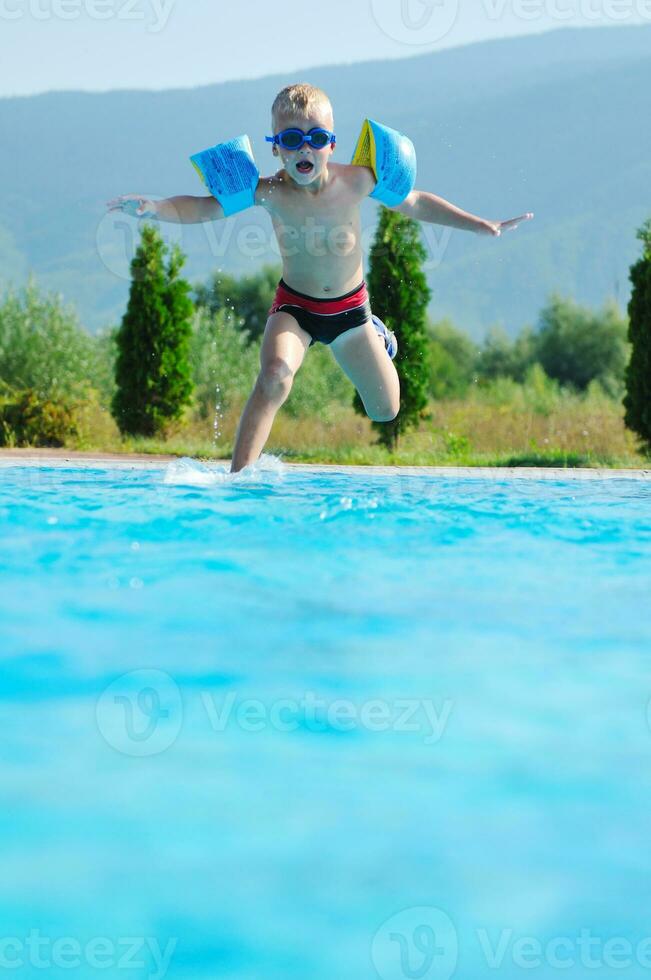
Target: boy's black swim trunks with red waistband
column 324, row 319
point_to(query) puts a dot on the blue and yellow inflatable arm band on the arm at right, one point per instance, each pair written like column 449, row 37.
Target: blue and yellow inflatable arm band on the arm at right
column 392, row 158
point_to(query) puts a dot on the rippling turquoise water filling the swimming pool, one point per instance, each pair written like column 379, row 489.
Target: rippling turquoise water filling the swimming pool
column 305, row 725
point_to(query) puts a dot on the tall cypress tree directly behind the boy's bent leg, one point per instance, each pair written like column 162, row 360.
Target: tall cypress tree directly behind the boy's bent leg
column 399, row 295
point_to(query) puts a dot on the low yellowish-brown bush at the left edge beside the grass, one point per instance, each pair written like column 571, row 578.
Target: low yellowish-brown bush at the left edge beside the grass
column 30, row 420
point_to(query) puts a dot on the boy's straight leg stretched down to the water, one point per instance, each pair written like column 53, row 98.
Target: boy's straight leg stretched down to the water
column 283, row 348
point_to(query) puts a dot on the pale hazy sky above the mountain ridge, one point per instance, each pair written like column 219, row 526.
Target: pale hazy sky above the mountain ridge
column 107, row 44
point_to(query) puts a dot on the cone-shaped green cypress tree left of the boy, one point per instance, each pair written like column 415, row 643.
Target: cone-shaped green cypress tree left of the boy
column 152, row 369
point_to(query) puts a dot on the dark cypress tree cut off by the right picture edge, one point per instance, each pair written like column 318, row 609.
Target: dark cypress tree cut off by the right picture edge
column 637, row 400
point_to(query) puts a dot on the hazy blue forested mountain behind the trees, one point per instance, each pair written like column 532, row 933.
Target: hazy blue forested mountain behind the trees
column 555, row 123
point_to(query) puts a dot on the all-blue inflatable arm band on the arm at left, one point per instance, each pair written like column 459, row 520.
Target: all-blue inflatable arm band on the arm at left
column 229, row 172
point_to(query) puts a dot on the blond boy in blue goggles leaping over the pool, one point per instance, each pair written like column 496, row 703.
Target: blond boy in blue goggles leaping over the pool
column 322, row 295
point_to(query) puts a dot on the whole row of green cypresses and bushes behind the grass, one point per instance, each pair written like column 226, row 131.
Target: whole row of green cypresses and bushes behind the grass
column 172, row 338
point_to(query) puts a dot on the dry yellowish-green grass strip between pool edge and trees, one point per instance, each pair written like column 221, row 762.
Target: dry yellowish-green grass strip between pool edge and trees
column 501, row 426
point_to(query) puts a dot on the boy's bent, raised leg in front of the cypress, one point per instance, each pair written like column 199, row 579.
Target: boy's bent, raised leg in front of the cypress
column 361, row 353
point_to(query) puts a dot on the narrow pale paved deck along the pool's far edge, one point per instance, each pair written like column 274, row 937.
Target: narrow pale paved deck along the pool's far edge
column 134, row 461
